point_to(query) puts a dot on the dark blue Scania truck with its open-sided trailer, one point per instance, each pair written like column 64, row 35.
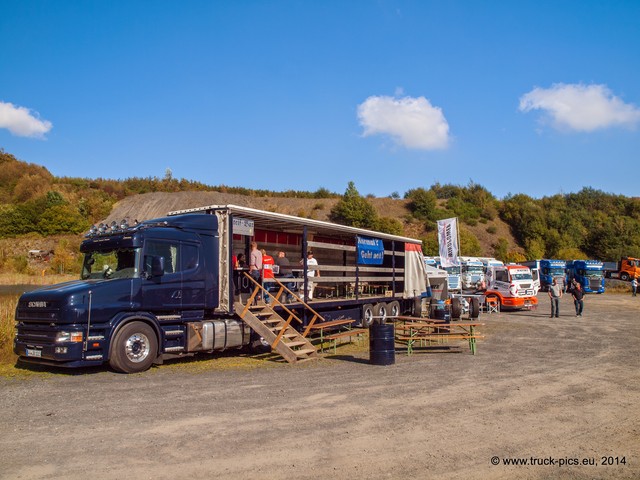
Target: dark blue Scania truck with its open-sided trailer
column 167, row 287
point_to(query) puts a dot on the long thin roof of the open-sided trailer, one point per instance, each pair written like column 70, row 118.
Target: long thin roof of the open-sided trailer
column 289, row 223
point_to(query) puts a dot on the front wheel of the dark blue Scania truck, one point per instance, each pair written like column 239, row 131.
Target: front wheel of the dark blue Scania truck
column 134, row 348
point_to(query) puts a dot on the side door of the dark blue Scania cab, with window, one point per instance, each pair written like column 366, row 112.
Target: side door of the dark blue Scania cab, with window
column 162, row 293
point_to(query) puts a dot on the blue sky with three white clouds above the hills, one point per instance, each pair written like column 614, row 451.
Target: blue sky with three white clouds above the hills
column 537, row 97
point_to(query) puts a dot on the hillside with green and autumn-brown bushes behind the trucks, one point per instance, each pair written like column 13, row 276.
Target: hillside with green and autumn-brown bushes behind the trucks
column 37, row 207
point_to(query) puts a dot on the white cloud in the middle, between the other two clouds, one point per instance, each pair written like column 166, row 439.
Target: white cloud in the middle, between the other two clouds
column 411, row 122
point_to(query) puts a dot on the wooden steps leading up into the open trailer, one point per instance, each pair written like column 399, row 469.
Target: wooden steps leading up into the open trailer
column 284, row 339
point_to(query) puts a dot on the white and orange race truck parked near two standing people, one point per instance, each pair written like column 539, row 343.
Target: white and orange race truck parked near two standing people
column 512, row 285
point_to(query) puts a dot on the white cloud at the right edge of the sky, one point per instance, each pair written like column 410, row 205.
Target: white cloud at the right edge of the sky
column 582, row 108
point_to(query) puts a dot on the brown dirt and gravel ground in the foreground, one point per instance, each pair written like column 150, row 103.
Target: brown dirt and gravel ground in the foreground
column 539, row 389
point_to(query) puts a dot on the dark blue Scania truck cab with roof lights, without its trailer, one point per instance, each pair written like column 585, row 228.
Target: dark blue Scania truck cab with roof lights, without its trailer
column 138, row 285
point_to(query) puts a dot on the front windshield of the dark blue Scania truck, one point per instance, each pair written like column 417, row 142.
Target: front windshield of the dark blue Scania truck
column 120, row 263
